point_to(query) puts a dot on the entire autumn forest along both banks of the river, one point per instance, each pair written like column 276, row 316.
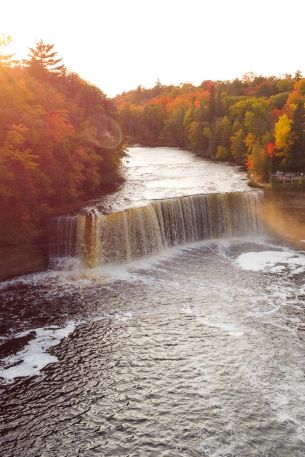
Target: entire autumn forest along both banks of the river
column 62, row 138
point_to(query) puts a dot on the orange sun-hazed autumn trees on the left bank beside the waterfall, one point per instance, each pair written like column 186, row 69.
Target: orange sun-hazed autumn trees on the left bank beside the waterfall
column 60, row 142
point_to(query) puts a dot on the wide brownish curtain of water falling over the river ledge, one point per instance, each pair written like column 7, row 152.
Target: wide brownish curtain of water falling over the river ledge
column 122, row 236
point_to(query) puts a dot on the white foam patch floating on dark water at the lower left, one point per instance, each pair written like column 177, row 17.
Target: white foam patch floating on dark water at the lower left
column 34, row 356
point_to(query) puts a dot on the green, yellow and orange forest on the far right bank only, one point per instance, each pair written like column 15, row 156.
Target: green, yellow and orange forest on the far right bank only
column 256, row 122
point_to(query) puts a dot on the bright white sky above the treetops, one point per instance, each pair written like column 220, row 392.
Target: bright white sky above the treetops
column 120, row 44
